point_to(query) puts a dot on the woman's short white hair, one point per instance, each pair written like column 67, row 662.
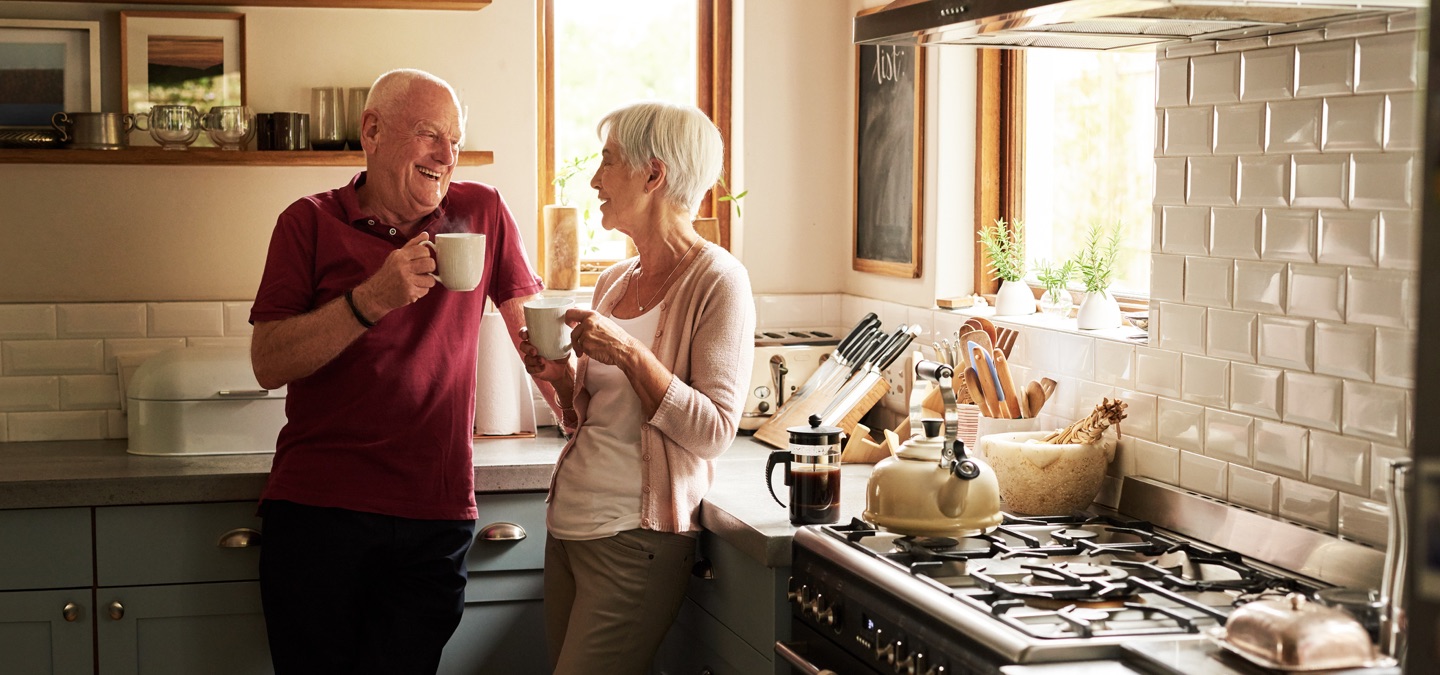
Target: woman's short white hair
column 680, row 136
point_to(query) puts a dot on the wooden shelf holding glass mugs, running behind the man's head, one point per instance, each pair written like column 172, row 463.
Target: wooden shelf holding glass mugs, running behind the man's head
column 212, row 158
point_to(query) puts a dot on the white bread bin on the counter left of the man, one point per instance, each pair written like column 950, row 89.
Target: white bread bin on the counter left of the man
column 202, row 401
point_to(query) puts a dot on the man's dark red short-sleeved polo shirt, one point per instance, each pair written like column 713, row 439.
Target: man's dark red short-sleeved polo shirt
column 385, row 427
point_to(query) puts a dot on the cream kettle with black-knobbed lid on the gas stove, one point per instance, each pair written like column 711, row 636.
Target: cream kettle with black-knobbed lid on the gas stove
column 931, row 489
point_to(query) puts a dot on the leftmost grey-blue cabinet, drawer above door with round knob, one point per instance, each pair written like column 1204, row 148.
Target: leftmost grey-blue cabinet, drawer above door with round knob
column 45, row 592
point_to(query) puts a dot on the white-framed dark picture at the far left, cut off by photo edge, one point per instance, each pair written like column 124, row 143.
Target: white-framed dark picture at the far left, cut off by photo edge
column 45, row 68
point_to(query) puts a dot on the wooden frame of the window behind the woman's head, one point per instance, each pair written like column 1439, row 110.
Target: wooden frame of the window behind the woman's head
column 714, row 96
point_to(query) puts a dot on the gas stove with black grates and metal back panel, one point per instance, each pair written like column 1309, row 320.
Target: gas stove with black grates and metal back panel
column 1055, row 589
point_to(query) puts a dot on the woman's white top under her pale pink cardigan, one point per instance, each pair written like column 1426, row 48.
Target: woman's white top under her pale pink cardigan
column 597, row 490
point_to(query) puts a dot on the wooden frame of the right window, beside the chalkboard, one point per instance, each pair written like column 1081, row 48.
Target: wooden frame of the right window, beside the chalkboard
column 1000, row 160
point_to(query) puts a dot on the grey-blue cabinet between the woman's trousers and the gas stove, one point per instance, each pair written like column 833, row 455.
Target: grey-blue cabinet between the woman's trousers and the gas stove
column 734, row 614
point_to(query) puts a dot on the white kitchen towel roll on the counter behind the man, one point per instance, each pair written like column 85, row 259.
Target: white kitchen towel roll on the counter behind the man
column 505, row 405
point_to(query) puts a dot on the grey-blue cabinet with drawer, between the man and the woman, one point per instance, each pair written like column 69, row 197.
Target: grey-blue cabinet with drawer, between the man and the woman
column 503, row 628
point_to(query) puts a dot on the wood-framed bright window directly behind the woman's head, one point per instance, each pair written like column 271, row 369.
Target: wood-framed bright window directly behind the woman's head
column 598, row 57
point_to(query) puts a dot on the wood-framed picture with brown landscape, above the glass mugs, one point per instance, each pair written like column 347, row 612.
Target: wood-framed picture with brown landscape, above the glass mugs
column 182, row 58
